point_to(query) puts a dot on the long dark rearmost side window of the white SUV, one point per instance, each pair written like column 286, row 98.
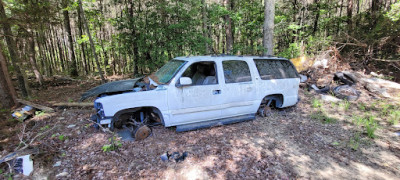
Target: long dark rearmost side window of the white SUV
column 275, row 69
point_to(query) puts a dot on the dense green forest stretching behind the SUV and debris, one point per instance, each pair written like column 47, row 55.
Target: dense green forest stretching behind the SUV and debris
column 43, row 38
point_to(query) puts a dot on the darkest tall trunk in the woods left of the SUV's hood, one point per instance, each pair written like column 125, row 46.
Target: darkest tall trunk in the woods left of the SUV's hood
column 73, row 69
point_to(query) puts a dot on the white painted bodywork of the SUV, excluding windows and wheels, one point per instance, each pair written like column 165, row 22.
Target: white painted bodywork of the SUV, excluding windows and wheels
column 185, row 105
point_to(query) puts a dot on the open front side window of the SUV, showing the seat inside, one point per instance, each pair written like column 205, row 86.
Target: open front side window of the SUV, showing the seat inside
column 202, row 73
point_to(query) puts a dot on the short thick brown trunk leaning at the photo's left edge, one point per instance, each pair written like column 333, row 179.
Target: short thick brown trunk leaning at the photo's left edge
column 8, row 96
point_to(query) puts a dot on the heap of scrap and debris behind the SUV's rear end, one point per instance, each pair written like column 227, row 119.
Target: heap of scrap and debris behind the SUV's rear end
column 334, row 79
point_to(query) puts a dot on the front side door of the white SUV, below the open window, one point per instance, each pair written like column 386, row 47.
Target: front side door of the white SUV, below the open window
column 198, row 102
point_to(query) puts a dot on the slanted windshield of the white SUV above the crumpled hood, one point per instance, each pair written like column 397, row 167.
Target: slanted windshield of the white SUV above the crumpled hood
column 168, row 71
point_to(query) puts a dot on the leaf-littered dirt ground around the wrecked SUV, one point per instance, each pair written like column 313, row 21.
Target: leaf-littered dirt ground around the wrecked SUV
column 289, row 144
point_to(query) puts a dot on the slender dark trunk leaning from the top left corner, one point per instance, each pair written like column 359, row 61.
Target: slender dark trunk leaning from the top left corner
column 12, row 47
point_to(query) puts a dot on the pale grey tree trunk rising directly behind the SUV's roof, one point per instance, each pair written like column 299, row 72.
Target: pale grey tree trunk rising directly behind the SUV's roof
column 269, row 15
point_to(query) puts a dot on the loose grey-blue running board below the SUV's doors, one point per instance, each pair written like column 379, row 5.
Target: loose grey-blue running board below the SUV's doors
column 218, row 122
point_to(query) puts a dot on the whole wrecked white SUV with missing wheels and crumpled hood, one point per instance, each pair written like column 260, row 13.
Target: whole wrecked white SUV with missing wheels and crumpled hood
column 197, row 92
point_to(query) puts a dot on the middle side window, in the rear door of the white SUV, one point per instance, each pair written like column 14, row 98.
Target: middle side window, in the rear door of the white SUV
column 236, row 71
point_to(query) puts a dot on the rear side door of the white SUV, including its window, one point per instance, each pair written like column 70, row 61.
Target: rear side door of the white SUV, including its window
column 238, row 89
